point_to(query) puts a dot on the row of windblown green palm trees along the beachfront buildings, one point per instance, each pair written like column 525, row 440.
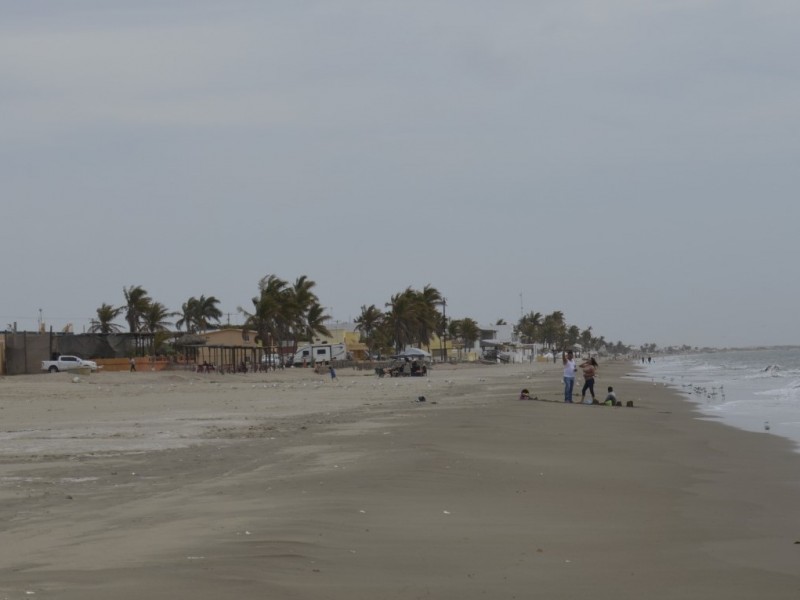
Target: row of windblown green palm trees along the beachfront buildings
column 283, row 313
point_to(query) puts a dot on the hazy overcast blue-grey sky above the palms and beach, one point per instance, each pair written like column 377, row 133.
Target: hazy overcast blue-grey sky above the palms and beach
column 631, row 163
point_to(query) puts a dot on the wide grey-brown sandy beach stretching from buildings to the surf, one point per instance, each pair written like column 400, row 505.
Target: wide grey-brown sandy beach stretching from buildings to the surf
column 289, row 485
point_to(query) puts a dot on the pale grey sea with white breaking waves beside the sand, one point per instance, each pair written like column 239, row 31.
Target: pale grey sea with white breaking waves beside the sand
column 755, row 390
